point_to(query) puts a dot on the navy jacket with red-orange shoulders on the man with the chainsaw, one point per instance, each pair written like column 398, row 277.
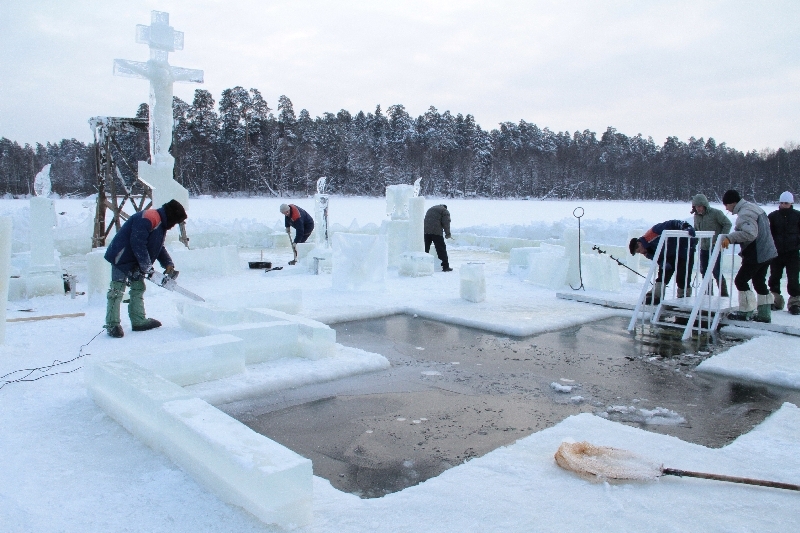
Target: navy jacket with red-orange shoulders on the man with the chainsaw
column 139, row 242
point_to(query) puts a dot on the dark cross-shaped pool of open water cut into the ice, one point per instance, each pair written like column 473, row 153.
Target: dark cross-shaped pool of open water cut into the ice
column 382, row 432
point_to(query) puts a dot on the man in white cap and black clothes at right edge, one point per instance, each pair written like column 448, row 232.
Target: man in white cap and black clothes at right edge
column 785, row 227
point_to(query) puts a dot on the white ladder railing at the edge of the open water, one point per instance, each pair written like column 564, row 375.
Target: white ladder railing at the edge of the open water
column 705, row 303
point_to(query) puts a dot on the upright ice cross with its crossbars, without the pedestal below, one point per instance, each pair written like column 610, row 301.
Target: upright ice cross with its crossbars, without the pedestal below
column 162, row 39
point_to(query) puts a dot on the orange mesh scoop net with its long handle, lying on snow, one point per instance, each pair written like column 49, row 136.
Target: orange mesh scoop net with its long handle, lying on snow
column 597, row 463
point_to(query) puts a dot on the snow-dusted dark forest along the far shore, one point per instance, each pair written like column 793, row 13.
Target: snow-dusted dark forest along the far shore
column 241, row 146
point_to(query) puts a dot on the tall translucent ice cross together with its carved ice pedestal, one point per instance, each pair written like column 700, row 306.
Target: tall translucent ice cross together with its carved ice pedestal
column 162, row 39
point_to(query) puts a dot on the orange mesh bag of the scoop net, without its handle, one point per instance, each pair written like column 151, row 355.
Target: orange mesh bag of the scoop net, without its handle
column 602, row 463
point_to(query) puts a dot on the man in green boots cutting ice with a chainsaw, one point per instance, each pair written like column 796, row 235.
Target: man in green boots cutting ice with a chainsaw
column 138, row 243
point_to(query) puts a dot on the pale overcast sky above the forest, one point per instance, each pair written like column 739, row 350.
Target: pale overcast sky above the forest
column 723, row 69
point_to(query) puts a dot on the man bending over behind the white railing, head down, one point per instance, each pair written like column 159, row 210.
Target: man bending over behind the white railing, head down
column 676, row 255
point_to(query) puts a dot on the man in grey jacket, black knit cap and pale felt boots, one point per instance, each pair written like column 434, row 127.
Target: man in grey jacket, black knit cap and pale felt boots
column 752, row 233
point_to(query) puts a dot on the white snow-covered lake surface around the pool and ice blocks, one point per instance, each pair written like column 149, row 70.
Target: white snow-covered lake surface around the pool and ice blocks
column 69, row 467
